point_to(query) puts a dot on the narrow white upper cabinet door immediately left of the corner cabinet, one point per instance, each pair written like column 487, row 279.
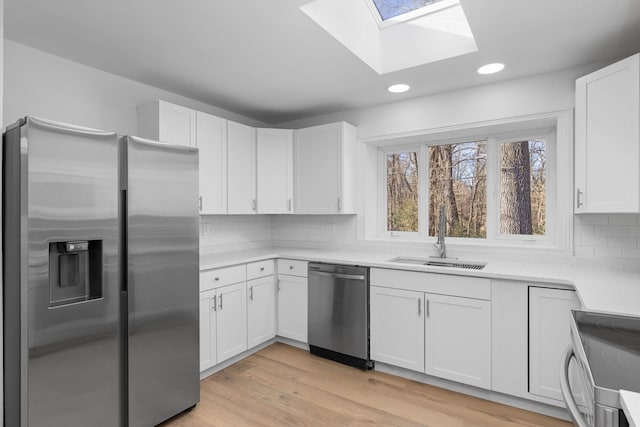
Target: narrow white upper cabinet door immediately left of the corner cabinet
column 241, row 169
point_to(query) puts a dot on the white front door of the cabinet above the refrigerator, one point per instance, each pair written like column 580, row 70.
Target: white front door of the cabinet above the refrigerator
column 176, row 124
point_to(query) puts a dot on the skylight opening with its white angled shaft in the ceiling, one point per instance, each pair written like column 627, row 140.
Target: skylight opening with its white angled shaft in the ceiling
column 429, row 30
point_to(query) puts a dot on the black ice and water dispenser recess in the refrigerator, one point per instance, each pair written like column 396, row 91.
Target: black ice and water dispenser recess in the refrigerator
column 75, row 271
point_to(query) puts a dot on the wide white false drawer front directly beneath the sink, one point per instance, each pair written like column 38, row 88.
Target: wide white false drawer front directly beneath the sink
column 443, row 284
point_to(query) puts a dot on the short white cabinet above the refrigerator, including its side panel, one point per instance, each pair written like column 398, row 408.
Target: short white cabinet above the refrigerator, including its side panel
column 167, row 122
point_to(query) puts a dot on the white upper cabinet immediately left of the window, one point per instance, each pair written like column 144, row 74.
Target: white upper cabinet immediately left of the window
column 324, row 164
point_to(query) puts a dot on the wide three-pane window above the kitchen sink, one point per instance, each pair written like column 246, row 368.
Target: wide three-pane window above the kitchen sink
column 492, row 189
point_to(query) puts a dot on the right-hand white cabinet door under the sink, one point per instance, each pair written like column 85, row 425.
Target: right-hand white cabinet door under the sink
column 458, row 339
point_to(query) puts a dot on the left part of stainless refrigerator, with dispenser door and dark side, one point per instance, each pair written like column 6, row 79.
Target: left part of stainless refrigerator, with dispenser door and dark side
column 61, row 340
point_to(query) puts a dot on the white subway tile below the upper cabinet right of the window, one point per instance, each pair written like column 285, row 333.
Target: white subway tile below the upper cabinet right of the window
column 607, row 235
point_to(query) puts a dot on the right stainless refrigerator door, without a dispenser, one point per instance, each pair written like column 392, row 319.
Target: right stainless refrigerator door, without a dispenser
column 162, row 280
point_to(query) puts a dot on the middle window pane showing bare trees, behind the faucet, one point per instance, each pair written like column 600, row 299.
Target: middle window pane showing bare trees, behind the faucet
column 458, row 180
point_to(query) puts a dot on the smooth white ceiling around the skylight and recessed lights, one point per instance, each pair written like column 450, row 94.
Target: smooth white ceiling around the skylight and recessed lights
column 267, row 60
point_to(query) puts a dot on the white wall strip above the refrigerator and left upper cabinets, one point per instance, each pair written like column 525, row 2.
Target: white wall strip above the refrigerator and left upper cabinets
column 40, row 84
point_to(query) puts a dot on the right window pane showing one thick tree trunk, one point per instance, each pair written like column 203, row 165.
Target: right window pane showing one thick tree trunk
column 523, row 187
